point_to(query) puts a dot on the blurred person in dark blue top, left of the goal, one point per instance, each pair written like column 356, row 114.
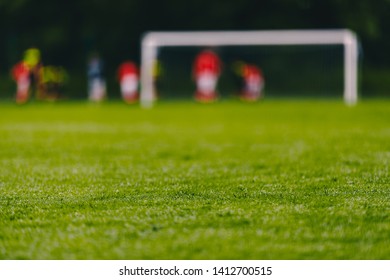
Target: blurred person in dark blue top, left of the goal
column 96, row 81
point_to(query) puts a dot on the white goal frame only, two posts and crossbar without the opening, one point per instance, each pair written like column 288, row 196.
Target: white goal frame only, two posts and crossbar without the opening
column 153, row 40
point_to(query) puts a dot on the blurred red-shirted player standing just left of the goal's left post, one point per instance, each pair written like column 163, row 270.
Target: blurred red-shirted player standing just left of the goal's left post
column 128, row 76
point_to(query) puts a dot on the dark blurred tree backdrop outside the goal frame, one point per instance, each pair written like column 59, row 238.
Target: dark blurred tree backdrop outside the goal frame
column 67, row 31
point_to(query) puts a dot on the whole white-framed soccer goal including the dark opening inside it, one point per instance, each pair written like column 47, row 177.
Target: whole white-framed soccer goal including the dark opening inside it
column 319, row 62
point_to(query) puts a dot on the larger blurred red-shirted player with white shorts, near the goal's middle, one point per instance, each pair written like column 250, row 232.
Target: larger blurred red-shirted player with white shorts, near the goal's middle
column 206, row 71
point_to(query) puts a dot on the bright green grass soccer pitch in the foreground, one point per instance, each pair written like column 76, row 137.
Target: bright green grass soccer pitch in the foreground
column 280, row 179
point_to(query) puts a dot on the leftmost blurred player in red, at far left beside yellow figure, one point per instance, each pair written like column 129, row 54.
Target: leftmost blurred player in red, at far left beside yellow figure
column 21, row 75
